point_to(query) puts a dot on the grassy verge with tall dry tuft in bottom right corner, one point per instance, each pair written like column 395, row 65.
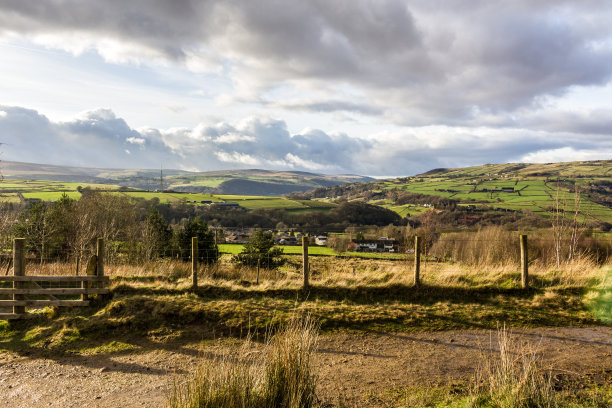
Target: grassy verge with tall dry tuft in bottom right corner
column 511, row 377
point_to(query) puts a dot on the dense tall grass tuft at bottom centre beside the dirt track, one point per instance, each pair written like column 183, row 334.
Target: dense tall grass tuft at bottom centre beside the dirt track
column 281, row 375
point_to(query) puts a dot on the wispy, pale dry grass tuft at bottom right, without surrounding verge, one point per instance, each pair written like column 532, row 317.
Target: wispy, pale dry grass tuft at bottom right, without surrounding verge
column 514, row 378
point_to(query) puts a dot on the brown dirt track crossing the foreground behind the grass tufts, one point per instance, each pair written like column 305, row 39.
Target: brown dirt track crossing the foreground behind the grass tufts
column 357, row 367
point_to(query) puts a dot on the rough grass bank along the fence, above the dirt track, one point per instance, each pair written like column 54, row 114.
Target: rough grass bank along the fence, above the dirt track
column 345, row 294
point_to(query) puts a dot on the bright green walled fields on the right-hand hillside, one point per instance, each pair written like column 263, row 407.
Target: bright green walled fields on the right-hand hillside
column 535, row 187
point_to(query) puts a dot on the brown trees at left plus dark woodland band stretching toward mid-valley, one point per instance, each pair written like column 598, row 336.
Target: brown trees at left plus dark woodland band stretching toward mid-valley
column 138, row 230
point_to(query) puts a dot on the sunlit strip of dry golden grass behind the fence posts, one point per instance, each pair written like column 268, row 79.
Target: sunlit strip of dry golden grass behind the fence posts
column 344, row 273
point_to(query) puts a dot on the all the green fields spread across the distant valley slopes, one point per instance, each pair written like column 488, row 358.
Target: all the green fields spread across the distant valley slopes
column 535, row 188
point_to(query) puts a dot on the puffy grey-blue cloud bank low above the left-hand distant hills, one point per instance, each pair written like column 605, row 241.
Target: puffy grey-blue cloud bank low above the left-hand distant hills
column 101, row 139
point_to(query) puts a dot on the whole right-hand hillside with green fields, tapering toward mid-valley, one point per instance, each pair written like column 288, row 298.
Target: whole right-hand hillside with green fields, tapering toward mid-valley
column 512, row 187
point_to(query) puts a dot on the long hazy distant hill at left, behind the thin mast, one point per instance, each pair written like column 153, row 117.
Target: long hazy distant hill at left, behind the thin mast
column 251, row 182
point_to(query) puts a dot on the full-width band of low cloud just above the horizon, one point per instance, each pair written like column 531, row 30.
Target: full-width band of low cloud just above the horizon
column 101, row 139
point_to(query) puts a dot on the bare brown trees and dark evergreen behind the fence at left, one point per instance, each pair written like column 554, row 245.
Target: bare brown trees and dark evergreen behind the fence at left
column 132, row 231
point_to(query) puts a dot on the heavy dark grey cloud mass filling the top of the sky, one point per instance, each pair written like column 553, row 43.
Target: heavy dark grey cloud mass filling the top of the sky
column 419, row 62
